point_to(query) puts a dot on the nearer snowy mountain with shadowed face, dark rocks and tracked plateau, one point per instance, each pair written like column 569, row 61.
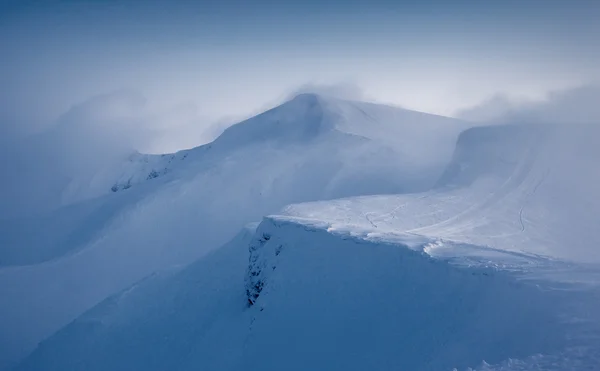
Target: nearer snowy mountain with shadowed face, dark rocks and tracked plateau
column 494, row 268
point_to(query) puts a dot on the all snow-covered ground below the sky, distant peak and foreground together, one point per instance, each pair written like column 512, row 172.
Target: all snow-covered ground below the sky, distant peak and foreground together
column 426, row 246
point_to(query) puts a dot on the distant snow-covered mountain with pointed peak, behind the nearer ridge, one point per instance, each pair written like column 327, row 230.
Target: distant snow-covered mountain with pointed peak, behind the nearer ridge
column 149, row 213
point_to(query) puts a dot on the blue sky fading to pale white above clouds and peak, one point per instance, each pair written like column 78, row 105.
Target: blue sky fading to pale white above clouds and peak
column 235, row 57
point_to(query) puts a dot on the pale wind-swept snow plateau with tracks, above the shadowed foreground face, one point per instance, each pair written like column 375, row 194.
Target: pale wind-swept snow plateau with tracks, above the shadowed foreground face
column 518, row 188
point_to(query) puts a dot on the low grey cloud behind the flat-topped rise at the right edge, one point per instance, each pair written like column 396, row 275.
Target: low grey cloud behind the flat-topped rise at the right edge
column 580, row 105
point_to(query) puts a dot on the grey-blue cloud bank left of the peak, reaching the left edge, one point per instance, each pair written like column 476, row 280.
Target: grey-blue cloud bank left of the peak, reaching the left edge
column 94, row 134
